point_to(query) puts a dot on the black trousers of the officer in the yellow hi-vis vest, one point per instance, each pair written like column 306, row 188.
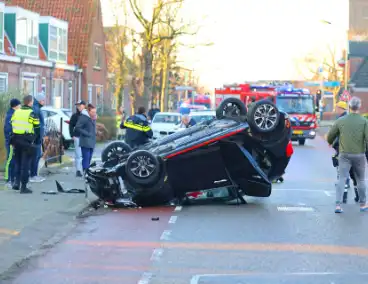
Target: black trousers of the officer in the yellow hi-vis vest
column 23, row 158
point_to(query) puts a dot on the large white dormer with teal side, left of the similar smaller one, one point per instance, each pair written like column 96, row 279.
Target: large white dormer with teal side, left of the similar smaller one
column 22, row 28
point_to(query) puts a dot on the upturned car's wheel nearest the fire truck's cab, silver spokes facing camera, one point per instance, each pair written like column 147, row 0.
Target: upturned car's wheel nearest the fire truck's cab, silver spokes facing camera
column 263, row 116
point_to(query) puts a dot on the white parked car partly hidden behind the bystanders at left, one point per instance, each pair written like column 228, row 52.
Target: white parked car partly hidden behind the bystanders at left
column 53, row 116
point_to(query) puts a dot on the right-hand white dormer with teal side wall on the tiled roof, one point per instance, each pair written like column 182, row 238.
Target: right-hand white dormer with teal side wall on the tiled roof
column 54, row 38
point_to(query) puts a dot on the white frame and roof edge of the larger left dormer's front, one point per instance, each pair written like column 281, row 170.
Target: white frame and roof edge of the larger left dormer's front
column 30, row 16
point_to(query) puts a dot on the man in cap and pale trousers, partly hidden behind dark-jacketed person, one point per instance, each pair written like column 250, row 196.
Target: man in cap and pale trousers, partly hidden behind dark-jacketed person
column 81, row 105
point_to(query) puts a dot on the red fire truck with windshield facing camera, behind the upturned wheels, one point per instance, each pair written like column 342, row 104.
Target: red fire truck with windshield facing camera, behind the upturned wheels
column 299, row 104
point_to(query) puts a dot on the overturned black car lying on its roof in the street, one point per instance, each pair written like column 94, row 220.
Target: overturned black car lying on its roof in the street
column 242, row 150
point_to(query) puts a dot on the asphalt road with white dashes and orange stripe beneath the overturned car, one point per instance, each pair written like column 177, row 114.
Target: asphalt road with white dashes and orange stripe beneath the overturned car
column 293, row 237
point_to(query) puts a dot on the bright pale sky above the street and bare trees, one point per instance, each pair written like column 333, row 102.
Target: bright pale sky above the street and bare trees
column 252, row 39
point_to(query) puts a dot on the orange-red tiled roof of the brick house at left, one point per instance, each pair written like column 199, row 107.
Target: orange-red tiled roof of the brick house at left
column 78, row 13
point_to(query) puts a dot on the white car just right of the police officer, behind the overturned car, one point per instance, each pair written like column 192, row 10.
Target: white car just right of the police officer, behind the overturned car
column 165, row 123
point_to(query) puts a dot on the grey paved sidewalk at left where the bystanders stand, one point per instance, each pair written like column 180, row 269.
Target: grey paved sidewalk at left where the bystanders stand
column 28, row 222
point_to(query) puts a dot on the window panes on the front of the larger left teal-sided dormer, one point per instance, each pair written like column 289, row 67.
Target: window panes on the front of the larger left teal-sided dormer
column 27, row 37
